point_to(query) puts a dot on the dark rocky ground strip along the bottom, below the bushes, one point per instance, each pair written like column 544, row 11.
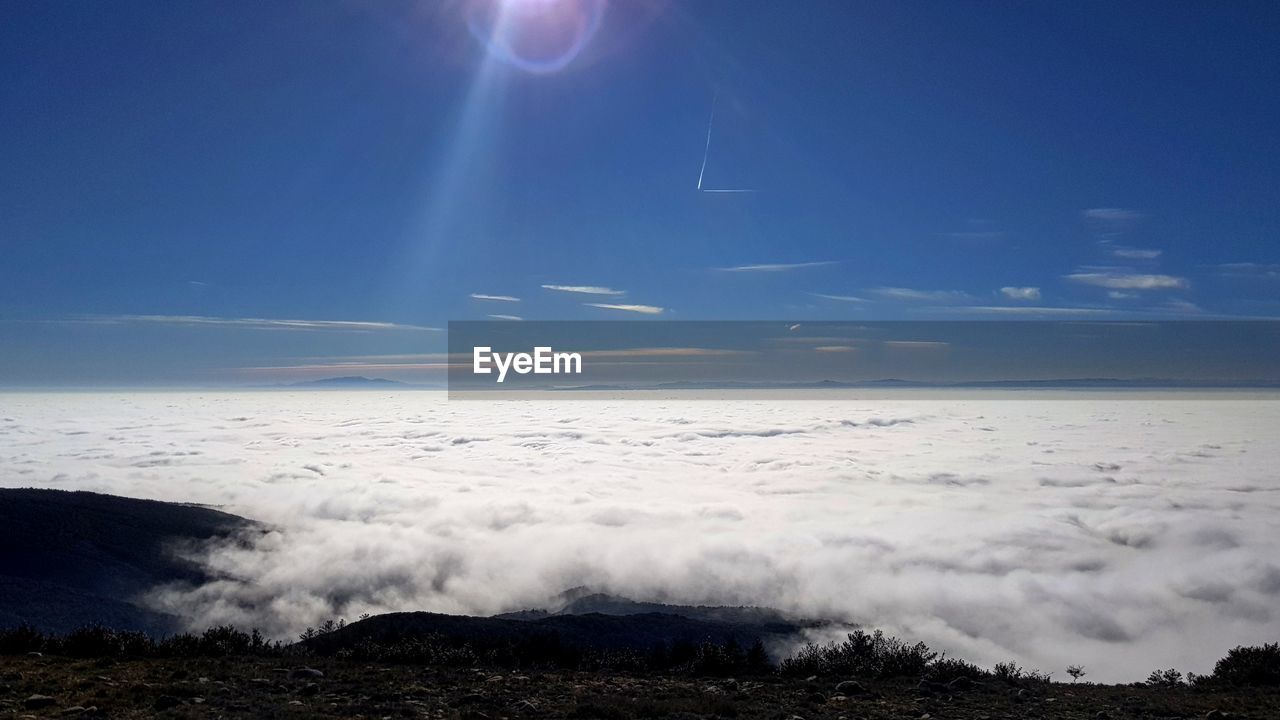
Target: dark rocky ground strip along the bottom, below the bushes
column 57, row 687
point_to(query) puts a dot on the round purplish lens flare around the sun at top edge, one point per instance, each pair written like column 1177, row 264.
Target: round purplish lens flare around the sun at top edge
column 537, row 37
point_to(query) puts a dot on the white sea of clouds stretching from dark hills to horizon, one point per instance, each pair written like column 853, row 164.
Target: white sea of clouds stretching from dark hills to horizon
column 1118, row 532
